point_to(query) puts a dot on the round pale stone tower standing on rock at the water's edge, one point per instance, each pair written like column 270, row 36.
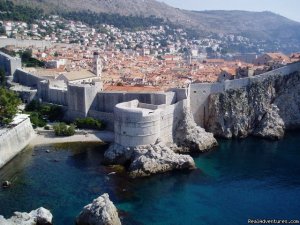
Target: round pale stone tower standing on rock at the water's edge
column 136, row 126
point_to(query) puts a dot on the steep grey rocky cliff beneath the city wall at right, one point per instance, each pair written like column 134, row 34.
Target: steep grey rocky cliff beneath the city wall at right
column 265, row 108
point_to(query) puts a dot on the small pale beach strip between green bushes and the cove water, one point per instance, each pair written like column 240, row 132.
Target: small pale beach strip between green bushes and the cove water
column 44, row 137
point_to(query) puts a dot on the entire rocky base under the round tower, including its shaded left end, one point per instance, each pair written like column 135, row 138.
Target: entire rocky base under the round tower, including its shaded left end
column 148, row 159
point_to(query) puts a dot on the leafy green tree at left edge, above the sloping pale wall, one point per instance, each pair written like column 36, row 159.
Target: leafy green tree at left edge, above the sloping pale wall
column 9, row 102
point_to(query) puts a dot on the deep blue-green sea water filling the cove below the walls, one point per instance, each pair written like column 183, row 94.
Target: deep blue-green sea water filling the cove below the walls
column 240, row 180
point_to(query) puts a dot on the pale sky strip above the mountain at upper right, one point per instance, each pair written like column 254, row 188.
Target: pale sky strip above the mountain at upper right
column 287, row 8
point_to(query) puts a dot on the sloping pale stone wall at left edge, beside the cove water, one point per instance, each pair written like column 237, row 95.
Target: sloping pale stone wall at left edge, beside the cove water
column 14, row 140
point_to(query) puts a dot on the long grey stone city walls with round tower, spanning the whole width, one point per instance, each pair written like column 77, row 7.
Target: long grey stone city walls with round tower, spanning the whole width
column 123, row 110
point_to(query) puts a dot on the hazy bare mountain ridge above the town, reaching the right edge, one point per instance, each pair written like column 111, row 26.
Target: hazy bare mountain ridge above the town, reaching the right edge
column 256, row 25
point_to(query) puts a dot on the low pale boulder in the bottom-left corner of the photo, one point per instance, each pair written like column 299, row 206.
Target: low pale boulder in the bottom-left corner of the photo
column 40, row 216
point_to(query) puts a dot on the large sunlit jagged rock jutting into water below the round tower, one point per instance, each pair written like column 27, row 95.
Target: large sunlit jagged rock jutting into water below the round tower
column 158, row 158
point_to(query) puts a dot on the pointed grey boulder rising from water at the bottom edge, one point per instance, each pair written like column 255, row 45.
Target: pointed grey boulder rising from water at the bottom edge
column 100, row 212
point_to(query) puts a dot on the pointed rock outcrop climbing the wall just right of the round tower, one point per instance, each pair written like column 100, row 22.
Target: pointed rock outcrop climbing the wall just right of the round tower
column 190, row 137
